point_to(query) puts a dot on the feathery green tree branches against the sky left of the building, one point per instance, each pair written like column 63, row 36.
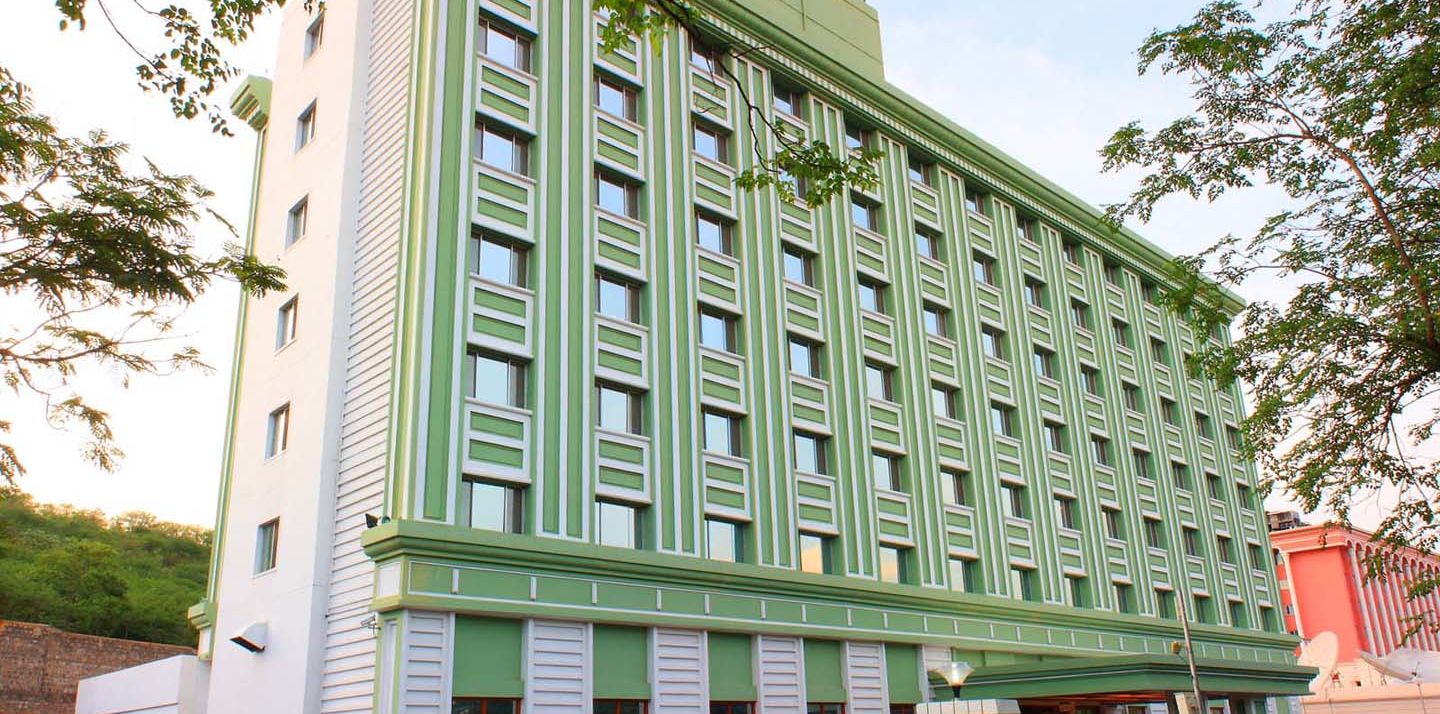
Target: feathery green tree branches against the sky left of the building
column 103, row 257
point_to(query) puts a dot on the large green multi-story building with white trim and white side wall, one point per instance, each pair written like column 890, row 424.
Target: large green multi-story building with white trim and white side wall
column 630, row 438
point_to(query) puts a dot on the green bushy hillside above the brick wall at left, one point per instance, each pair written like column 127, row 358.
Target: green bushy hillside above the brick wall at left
column 132, row 577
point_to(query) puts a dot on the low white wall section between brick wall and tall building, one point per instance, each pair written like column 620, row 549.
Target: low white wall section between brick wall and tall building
column 174, row 686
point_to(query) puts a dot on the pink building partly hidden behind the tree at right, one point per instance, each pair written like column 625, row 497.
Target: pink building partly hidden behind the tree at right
column 1324, row 588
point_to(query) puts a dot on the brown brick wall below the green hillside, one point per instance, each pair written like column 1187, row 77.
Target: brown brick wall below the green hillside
column 41, row 666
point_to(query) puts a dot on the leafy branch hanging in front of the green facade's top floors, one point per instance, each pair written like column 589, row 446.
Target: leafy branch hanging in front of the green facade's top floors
column 813, row 169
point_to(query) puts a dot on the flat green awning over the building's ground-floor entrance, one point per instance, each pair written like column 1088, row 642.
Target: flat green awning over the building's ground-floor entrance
column 1134, row 679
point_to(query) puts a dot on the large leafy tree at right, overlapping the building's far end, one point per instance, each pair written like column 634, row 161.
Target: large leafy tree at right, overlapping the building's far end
column 1337, row 107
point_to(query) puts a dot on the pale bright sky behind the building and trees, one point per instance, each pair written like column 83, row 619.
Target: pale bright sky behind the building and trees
column 1045, row 81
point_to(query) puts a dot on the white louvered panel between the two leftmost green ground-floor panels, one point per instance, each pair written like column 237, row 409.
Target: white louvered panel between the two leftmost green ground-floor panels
column 558, row 669
